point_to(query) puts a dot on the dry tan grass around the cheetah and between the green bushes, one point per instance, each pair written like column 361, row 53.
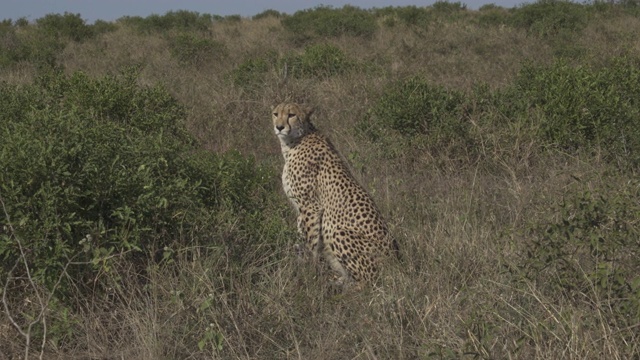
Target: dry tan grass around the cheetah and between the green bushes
column 460, row 228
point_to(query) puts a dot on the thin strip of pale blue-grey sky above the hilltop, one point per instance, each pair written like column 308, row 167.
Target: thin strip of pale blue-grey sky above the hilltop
column 109, row 10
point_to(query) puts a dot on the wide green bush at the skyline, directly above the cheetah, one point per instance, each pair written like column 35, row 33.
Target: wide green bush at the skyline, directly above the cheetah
column 328, row 22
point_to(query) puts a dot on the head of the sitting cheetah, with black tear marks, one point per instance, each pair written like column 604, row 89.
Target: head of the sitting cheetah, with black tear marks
column 291, row 122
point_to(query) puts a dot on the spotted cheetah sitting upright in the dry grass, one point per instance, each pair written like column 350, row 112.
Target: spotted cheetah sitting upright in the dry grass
column 335, row 216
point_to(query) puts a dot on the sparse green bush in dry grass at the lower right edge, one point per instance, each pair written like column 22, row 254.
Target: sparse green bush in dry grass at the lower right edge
column 590, row 251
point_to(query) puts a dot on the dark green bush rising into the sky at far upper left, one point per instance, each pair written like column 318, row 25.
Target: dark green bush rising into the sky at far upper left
column 69, row 26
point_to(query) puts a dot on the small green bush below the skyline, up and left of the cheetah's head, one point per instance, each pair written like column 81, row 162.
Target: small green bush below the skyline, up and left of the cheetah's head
column 192, row 49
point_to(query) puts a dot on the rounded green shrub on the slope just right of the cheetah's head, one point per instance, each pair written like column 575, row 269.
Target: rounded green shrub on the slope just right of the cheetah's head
column 415, row 114
